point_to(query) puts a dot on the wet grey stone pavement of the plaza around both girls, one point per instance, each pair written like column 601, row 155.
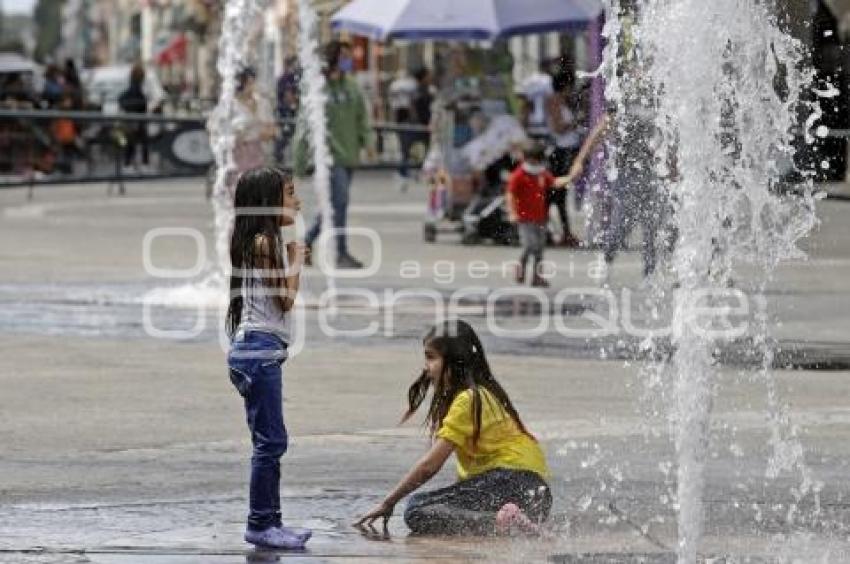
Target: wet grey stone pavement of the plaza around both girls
column 119, row 447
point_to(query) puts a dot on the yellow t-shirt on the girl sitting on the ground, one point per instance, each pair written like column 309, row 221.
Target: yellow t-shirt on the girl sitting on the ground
column 501, row 443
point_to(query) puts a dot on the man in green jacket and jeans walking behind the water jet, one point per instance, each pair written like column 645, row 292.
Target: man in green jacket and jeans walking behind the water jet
column 348, row 133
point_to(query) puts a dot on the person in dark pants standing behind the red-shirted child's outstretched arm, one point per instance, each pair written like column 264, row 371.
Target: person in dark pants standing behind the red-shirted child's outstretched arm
column 566, row 137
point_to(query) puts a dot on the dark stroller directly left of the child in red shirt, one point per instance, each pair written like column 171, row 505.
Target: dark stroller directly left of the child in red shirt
column 486, row 217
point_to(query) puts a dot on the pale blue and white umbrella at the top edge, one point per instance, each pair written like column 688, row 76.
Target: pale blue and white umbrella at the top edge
column 462, row 19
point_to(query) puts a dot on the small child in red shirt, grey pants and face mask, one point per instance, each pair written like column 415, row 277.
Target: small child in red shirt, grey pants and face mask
column 526, row 202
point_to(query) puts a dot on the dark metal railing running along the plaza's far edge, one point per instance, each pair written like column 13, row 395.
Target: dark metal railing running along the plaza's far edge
column 55, row 147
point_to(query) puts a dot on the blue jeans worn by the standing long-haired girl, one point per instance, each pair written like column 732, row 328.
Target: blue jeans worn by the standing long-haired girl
column 254, row 363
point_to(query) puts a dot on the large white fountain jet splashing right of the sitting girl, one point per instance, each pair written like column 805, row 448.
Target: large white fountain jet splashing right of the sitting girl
column 719, row 84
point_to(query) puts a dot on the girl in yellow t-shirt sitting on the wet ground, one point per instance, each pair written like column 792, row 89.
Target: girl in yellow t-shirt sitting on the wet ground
column 501, row 467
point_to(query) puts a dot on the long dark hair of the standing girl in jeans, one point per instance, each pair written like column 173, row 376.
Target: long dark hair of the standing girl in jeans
column 256, row 239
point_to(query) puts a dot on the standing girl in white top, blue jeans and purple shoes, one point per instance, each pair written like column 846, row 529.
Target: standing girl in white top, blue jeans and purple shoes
column 263, row 285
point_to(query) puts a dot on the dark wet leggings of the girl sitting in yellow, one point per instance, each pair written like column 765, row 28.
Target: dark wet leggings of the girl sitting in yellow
column 469, row 507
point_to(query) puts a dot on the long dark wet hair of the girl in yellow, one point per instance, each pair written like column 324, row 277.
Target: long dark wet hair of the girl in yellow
column 465, row 367
